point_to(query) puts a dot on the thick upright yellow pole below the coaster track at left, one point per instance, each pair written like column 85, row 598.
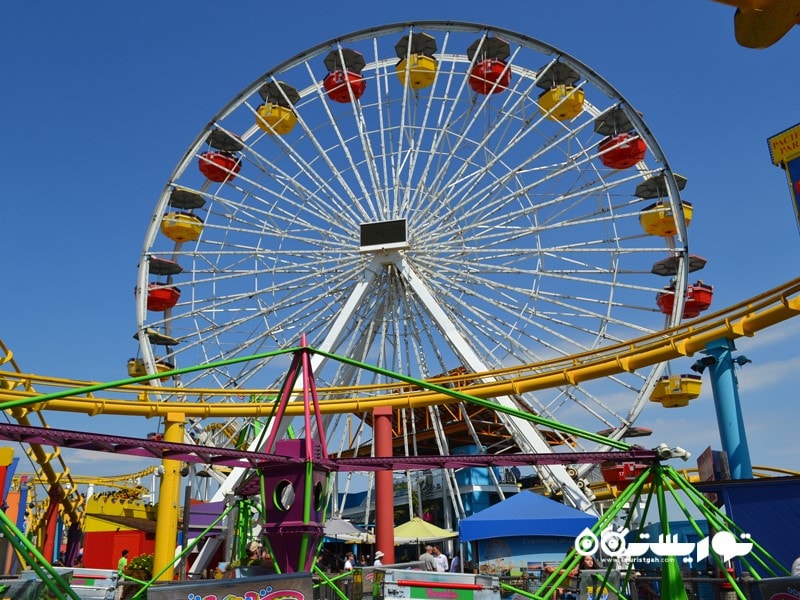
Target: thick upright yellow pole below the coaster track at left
column 168, row 502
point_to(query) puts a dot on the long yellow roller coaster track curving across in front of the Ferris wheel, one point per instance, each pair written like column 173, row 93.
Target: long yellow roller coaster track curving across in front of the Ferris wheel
column 133, row 397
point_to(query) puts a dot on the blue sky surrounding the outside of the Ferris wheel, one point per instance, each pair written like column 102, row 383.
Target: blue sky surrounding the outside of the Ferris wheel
column 100, row 100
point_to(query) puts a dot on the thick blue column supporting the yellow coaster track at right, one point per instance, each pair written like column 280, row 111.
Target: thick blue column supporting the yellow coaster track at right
column 729, row 411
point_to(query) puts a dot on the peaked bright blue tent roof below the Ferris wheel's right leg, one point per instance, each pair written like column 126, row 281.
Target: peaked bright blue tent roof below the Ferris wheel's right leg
column 525, row 513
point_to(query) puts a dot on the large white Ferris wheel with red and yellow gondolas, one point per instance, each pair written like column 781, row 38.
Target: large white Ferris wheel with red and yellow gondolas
column 432, row 198
